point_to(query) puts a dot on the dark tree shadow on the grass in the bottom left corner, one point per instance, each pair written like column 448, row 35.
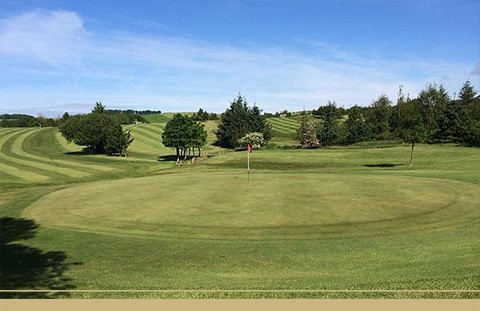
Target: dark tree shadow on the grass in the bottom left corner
column 28, row 268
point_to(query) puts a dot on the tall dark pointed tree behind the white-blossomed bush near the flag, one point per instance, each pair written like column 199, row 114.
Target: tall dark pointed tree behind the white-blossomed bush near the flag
column 238, row 120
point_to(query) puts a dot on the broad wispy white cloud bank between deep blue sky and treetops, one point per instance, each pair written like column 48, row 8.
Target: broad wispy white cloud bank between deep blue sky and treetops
column 167, row 73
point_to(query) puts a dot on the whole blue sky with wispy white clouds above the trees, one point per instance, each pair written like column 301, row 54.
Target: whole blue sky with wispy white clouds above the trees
column 58, row 56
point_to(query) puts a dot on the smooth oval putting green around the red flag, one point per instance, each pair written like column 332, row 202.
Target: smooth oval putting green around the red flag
column 269, row 206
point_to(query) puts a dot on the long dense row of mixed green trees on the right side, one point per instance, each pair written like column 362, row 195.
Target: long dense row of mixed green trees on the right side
column 432, row 117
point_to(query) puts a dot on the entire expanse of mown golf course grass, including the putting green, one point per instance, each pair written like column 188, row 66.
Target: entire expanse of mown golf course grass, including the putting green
column 326, row 219
